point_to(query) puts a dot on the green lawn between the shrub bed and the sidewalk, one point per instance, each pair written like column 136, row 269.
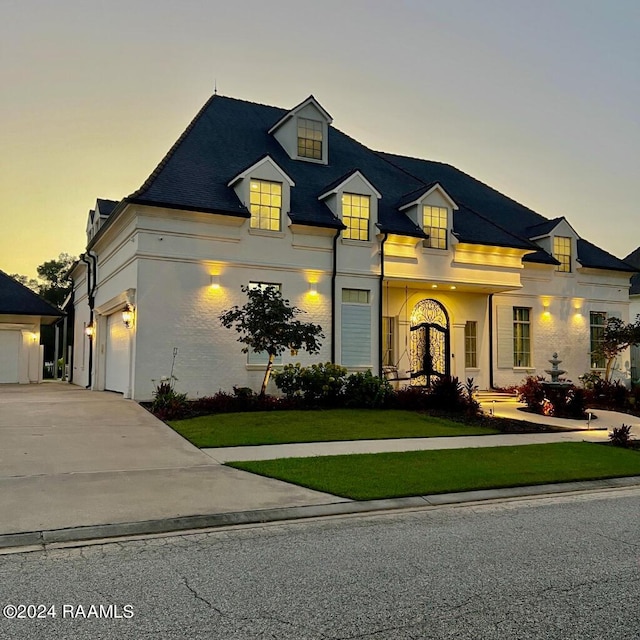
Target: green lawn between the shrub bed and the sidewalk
column 282, row 427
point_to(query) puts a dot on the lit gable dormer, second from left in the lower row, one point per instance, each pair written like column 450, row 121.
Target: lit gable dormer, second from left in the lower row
column 354, row 200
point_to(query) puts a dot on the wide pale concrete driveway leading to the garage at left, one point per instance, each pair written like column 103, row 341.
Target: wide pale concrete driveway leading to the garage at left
column 71, row 457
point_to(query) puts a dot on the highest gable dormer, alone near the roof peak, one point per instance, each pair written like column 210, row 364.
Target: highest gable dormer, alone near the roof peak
column 303, row 132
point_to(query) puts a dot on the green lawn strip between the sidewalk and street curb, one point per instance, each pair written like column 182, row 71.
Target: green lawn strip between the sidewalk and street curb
column 392, row 475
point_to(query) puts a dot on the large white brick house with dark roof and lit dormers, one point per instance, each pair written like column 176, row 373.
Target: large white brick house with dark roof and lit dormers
column 411, row 267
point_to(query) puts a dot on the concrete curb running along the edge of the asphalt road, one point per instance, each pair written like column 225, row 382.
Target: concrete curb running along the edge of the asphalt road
column 262, row 516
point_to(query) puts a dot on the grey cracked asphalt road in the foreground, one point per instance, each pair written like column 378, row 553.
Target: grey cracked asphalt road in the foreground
column 555, row 568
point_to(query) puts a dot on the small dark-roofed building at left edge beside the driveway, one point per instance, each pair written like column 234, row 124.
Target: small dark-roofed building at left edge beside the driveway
column 22, row 312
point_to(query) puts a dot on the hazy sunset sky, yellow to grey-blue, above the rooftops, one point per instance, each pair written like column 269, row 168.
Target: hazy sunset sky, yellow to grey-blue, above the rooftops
column 538, row 98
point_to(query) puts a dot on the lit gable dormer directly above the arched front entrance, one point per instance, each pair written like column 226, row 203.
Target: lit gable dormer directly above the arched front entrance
column 431, row 208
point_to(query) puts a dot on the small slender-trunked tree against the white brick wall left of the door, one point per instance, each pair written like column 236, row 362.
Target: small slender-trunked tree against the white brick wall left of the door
column 268, row 323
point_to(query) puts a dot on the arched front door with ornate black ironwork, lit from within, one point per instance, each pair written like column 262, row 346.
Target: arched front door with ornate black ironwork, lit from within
column 429, row 343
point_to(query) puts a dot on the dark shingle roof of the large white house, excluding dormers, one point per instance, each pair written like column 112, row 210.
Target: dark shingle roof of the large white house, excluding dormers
column 229, row 135
